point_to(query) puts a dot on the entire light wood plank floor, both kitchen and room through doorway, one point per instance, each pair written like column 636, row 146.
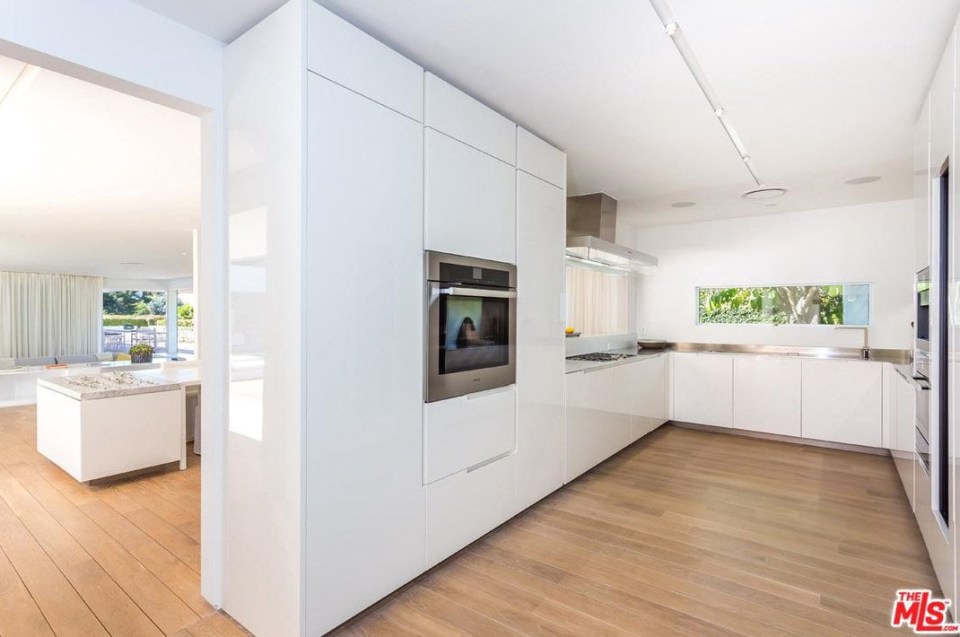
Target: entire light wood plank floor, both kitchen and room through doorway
column 686, row 533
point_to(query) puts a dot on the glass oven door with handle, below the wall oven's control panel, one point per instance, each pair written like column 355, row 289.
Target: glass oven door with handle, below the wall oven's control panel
column 472, row 340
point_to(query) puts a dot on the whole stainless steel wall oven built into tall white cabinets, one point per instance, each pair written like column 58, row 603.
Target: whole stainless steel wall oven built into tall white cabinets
column 471, row 325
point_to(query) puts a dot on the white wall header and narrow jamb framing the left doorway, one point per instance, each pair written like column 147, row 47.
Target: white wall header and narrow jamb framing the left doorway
column 123, row 46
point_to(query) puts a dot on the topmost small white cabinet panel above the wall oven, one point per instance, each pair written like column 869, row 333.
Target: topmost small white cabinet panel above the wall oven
column 451, row 111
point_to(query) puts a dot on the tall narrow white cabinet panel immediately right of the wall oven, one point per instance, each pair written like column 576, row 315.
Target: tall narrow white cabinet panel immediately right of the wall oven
column 541, row 233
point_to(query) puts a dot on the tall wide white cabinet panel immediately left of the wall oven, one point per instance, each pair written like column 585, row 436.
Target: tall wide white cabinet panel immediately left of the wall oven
column 365, row 503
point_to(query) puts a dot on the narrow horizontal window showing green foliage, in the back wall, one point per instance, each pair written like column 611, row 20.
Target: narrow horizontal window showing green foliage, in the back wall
column 824, row 304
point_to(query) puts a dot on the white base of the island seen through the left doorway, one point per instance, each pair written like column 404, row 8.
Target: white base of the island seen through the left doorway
column 97, row 438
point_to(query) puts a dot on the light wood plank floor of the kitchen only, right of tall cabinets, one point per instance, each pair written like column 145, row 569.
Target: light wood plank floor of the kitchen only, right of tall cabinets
column 686, row 533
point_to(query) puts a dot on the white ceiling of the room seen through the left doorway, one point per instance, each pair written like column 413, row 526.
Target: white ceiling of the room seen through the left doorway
column 91, row 178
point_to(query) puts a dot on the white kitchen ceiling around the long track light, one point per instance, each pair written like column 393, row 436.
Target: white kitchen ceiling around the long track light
column 821, row 91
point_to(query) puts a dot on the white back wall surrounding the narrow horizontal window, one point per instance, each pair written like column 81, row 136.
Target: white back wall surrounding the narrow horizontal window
column 855, row 244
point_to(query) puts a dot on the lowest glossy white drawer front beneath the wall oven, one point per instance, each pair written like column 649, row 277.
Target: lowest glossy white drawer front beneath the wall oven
column 466, row 505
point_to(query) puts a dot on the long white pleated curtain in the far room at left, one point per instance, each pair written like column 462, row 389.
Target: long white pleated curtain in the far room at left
column 49, row 314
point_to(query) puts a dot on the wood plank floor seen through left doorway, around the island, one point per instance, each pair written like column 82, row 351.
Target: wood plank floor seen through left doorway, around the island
column 122, row 558
